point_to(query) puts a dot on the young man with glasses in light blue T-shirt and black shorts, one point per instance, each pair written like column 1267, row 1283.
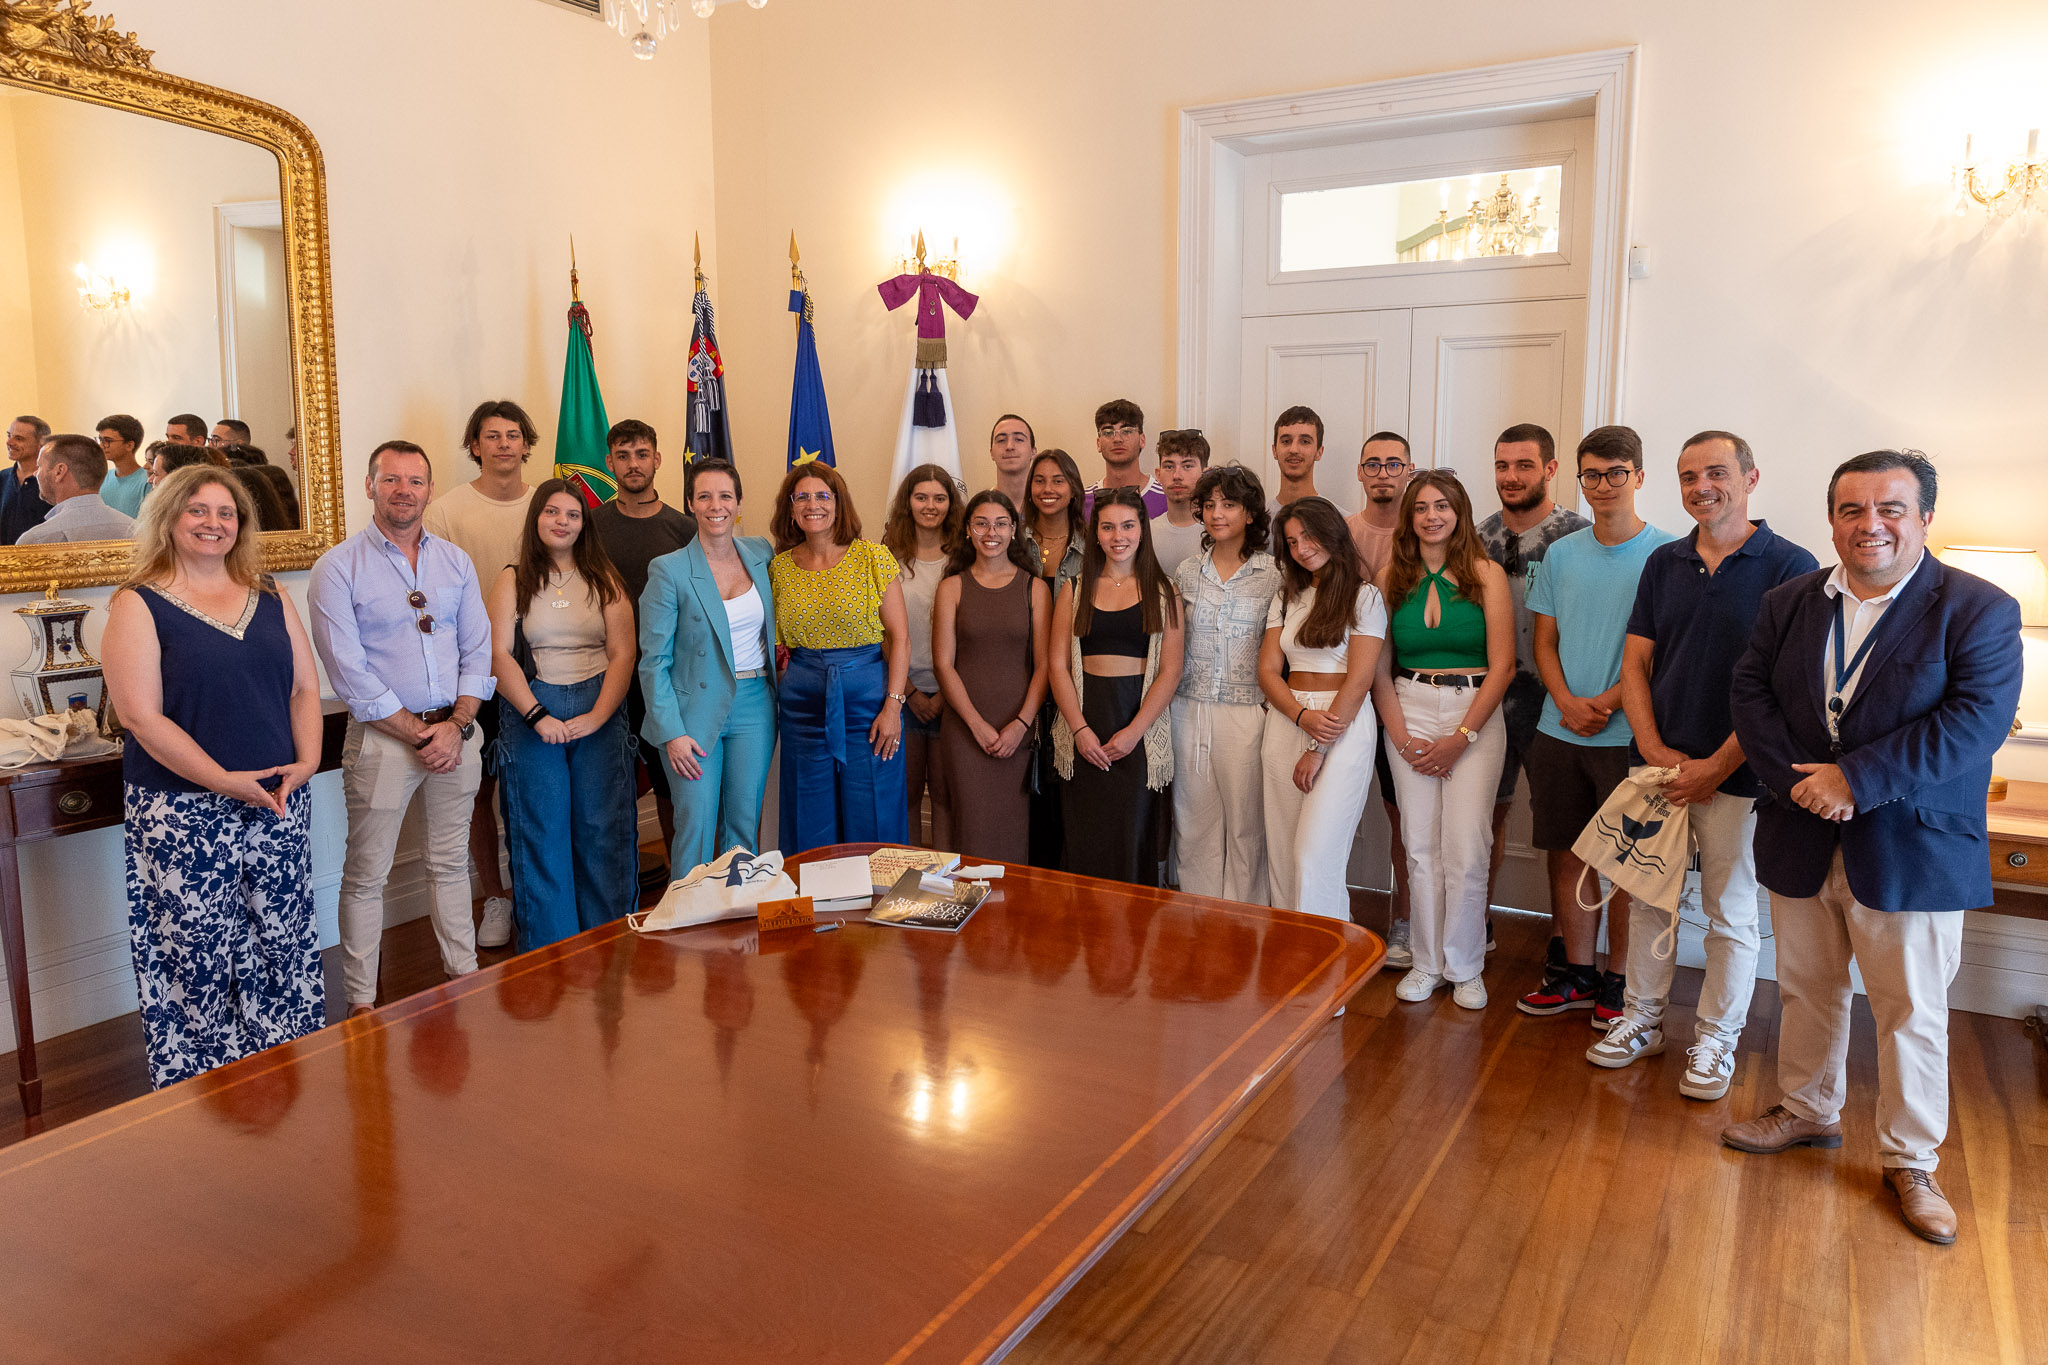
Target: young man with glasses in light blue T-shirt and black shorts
column 1580, row 599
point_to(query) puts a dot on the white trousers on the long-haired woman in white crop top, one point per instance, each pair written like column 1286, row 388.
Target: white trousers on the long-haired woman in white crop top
column 1310, row 834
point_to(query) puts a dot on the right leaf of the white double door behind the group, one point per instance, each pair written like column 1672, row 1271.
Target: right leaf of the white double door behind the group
column 1486, row 367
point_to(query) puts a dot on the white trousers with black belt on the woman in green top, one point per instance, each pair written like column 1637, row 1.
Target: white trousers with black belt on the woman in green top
column 1447, row 826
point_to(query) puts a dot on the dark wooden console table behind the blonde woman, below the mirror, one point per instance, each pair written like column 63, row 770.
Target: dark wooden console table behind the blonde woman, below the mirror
column 48, row 801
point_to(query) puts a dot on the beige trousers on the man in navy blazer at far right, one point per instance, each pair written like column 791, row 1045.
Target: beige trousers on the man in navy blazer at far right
column 1910, row 961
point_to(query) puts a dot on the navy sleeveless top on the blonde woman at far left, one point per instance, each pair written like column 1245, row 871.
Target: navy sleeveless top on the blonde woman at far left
column 228, row 689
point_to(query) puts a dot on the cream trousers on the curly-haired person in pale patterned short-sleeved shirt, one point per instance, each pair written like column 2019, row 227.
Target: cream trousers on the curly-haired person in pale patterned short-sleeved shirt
column 1220, row 809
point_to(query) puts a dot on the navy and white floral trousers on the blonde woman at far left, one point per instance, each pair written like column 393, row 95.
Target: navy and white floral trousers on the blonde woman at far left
column 222, row 928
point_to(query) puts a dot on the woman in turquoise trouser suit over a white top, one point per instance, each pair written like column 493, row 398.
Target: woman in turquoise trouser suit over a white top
column 708, row 670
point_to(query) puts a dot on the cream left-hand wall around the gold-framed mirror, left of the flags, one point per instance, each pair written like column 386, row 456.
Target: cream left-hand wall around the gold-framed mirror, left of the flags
column 466, row 142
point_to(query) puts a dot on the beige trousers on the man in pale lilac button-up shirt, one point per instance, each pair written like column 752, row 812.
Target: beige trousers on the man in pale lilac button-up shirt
column 380, row 777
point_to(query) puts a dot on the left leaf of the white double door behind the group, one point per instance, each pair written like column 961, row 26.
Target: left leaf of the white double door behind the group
column 1353, row 369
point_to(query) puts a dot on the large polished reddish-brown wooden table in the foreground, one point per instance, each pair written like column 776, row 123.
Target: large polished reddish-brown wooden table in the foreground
column 714, row 1145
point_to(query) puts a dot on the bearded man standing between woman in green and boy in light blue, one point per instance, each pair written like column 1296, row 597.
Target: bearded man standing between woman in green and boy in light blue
column 1517, row 539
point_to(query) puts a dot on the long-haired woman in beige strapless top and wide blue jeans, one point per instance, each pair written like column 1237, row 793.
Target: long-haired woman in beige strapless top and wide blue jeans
column 566, row 768
